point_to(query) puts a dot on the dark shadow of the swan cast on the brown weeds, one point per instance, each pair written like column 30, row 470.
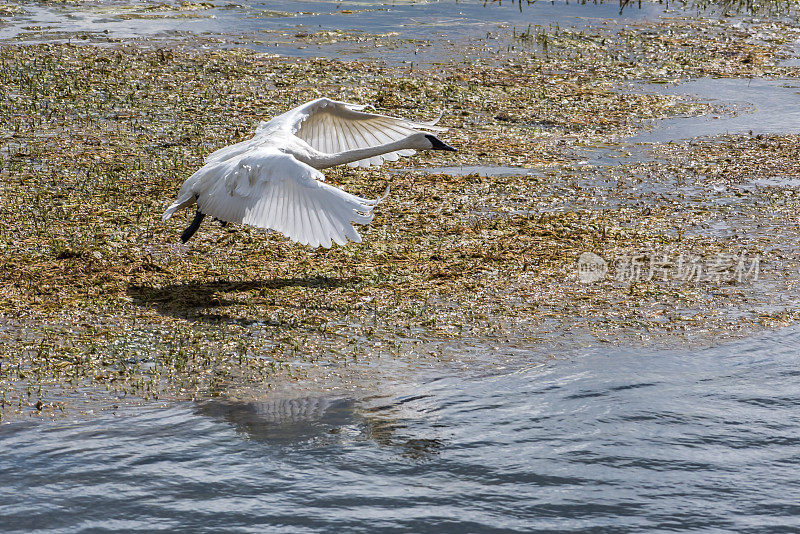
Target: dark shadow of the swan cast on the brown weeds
column 204, row 301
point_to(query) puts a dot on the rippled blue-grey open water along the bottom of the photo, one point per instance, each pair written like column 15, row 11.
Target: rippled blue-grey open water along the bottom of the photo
column 604, row 441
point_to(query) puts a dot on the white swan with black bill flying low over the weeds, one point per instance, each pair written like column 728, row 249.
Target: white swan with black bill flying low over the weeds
column 272, row 180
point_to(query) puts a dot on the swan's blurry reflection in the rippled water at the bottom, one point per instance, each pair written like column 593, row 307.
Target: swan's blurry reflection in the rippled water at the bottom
column 387, row 421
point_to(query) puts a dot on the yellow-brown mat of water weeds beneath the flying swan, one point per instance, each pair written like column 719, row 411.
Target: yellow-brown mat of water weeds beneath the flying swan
column 101, row 302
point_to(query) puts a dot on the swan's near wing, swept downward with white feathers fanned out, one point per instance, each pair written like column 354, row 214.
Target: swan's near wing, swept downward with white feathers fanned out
column 268, row 189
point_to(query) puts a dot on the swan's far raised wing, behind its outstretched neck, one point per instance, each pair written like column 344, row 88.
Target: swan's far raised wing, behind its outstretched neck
column 330, row 126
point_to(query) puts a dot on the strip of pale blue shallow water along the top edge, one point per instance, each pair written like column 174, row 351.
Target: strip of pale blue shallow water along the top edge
column 273, row 26
